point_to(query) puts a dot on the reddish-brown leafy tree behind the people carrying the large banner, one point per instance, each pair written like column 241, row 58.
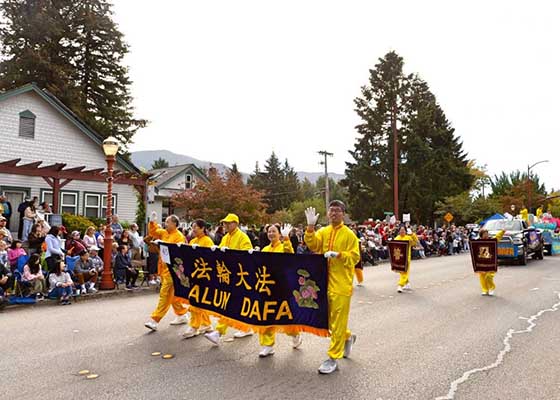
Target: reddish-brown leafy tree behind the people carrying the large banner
column 219, row 196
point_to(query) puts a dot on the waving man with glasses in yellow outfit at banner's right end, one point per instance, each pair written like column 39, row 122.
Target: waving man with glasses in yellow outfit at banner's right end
column 340, row 246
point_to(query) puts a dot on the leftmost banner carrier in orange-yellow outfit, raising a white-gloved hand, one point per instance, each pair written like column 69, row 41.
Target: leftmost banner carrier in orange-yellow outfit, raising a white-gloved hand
column 166, row 294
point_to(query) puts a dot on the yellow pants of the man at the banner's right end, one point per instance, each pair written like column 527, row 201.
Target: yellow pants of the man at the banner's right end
column 339, row 309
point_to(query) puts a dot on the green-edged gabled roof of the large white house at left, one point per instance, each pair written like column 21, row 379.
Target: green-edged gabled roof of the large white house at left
column 69, row 115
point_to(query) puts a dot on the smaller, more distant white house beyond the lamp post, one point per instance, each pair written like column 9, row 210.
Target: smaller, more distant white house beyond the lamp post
column 165, row 182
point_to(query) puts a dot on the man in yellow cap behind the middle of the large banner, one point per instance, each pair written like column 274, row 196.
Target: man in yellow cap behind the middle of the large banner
column 234, row 239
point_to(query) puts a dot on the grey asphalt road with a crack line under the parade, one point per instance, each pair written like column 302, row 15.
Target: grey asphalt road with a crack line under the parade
column 442, row 340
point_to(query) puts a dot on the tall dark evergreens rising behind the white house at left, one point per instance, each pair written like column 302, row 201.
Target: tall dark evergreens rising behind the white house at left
column 75, row 51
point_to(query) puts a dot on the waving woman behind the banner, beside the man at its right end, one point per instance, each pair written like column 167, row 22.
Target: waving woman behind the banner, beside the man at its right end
column 267, row 339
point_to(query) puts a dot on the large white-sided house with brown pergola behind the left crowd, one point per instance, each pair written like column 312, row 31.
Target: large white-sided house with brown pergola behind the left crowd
column 56, row 148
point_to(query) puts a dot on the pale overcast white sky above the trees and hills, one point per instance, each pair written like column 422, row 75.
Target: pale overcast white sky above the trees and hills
column 232, row 81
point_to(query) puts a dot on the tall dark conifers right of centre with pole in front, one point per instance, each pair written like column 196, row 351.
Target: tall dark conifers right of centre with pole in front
column 432, row 164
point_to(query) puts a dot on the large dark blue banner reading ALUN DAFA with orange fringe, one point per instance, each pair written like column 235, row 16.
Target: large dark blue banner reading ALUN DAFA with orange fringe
column 253, row 291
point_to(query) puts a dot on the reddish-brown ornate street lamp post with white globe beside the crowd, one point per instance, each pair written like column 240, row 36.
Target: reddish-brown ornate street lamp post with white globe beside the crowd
column 110, row 148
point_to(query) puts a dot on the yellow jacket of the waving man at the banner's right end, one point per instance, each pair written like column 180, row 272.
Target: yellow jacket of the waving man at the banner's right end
column 341, row 239
